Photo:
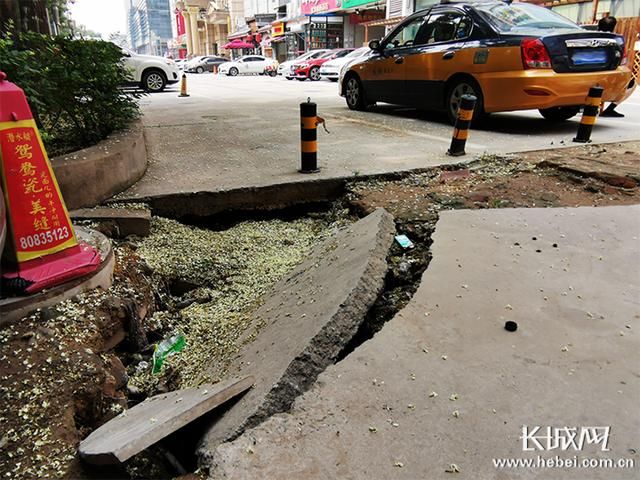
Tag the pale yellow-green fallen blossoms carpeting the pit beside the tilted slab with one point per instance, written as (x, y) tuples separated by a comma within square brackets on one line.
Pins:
[(235, 268)]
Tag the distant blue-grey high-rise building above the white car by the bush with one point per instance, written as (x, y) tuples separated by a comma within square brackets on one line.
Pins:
[(149, 26)]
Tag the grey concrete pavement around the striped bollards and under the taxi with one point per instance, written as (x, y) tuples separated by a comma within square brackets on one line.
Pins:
[(243, 132)]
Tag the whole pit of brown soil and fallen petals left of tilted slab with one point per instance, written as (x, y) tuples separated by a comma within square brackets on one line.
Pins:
[(66, 370)]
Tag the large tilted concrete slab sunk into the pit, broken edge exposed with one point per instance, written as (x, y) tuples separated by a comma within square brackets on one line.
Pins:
[(306, 322)]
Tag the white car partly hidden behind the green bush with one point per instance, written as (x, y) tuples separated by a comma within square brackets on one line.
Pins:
[(150, 73)]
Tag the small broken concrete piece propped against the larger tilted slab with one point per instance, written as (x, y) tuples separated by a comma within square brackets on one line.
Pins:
[(152, 420)]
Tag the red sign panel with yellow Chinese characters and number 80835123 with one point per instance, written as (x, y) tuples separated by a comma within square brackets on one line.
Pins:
[(39, 222)]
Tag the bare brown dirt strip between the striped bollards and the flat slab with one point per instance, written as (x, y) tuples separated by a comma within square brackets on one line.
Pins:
[(533, 179)]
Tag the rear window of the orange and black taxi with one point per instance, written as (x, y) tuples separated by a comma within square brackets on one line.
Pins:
[(517, 17)]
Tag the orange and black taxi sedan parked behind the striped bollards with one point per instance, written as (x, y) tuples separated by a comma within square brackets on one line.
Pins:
[(510, 56)]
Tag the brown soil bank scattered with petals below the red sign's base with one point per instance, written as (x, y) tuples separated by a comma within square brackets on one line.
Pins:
[(61, 376)]
